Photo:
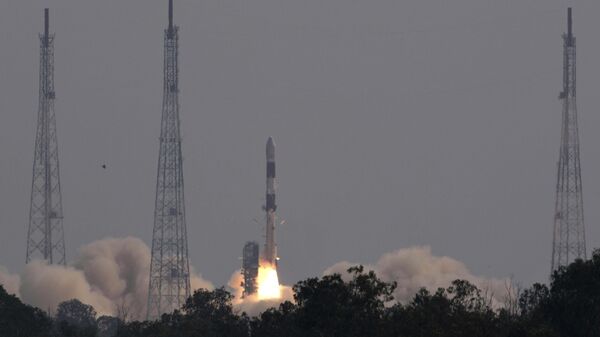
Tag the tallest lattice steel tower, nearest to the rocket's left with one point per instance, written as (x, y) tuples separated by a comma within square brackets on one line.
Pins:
[(169, 267)]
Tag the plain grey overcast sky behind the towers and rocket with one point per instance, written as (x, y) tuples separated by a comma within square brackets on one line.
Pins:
[(397, 123)]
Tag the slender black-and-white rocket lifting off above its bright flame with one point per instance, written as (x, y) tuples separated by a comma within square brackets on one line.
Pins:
[(270, 253)]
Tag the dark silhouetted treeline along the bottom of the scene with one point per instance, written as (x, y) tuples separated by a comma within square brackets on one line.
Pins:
[(360, 307)]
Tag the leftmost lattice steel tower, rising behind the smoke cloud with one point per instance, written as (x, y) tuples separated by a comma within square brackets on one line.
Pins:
[(45, 236)]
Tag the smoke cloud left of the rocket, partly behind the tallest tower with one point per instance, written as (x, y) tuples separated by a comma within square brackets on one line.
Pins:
[(109, 274)]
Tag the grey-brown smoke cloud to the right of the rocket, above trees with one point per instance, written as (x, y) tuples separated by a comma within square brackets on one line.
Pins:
[(416, 267)]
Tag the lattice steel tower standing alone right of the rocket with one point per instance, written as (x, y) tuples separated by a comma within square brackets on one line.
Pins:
[(569, 231)]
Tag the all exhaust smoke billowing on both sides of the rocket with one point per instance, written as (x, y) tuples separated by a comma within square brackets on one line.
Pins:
[(112, 276)]
